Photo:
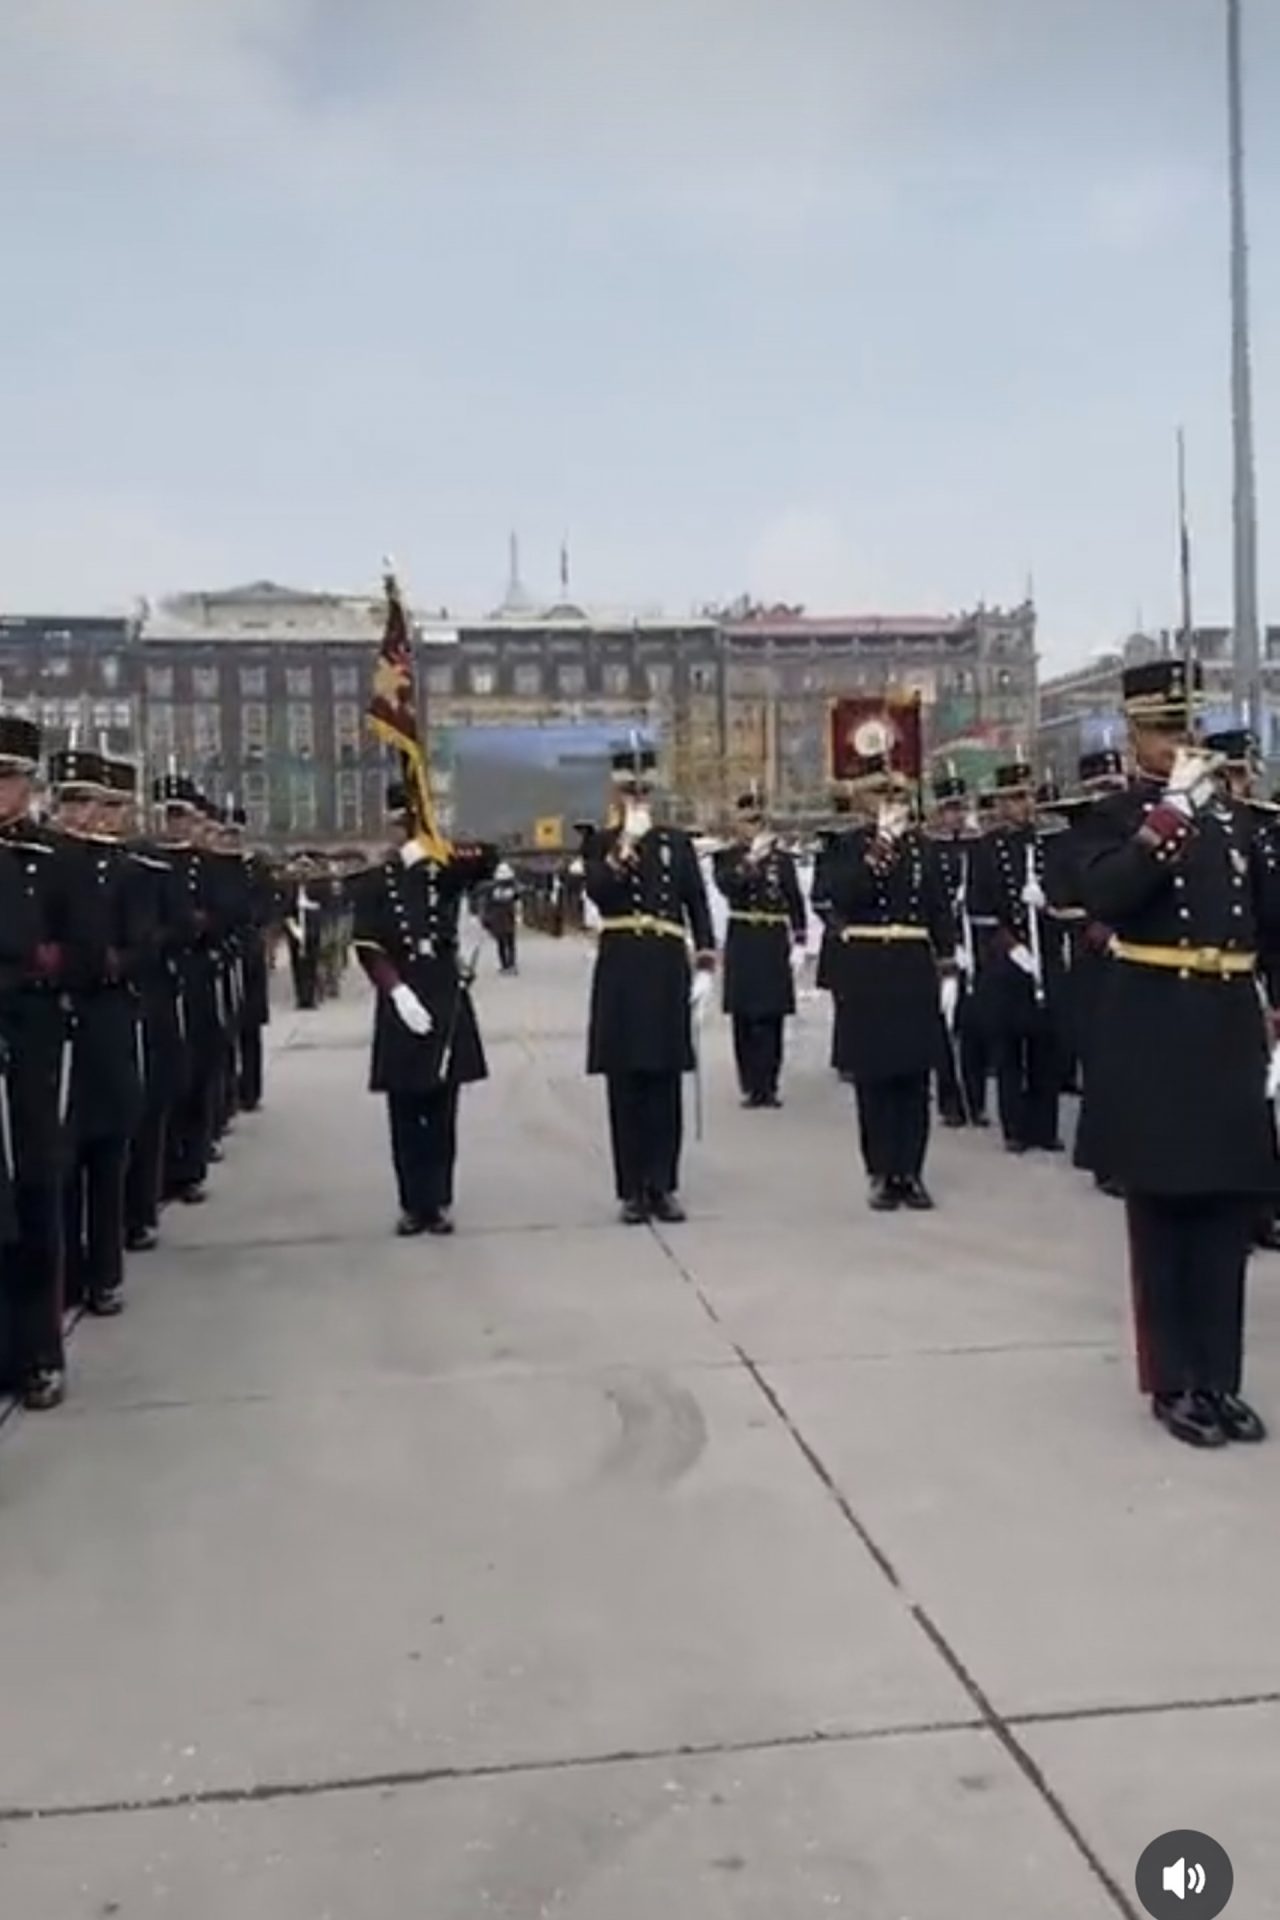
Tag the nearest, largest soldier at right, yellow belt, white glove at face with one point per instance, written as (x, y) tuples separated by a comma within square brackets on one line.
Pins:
[(1177, 1082)]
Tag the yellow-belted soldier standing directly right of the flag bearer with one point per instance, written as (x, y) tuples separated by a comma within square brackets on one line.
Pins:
[(650, 894)]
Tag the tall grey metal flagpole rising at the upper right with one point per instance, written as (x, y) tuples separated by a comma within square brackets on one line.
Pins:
[(1246, 654)]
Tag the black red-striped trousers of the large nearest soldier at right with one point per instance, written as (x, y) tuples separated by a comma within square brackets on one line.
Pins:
[(1189, 1278)]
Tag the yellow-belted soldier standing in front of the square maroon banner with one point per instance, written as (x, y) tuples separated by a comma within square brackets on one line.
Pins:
[(895, 924)]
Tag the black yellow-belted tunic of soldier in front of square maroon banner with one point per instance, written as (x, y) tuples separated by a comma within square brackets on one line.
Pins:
[(888, 990)]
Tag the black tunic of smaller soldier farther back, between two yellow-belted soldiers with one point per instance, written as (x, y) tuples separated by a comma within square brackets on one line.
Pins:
[(767, 917)]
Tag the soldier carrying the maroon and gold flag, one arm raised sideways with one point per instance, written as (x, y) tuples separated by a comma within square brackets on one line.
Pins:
[(427, 1042)]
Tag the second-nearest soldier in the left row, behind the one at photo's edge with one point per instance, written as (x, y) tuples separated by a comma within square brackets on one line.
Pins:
[(107, 1074)]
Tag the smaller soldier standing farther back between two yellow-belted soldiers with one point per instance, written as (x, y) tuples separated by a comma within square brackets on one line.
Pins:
[(765, 942)]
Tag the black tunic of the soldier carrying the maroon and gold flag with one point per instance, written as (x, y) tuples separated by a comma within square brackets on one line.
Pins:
[(408, 934)]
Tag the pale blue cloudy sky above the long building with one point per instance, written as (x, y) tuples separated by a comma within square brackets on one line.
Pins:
[(882, 306)]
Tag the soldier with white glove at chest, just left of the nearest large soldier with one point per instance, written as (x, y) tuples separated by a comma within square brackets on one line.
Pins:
[(1018, 1003)]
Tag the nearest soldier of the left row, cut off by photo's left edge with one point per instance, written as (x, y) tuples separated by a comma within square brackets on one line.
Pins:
[(37, 948)]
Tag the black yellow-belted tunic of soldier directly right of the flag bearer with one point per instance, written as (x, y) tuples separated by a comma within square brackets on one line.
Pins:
[(640, 992)]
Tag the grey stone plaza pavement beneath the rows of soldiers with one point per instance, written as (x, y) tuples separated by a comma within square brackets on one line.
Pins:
[(784, 1564)]
